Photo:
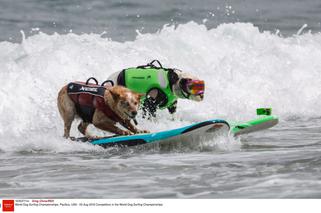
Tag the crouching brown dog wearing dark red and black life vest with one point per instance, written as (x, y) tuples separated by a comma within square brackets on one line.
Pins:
[(101, 106)]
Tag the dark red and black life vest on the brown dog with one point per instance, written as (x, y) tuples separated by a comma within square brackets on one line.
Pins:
[(88, 98)]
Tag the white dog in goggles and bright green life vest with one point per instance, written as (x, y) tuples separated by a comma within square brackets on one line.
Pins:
[(161, 86)]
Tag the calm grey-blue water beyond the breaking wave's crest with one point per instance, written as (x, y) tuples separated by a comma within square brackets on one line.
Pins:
[(120, 19)]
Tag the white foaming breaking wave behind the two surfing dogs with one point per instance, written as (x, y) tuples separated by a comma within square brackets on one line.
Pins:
[(243, 69)]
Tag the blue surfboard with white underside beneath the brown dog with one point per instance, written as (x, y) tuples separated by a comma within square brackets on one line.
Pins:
[(196, 131)]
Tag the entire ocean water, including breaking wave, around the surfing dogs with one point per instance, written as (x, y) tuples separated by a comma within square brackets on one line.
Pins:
[(251, 54)]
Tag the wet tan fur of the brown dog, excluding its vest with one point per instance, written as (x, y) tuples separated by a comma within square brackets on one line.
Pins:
[(121, 101)]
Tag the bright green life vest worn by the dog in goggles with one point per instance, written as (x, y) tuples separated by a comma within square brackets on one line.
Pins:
[(142, 80)]
